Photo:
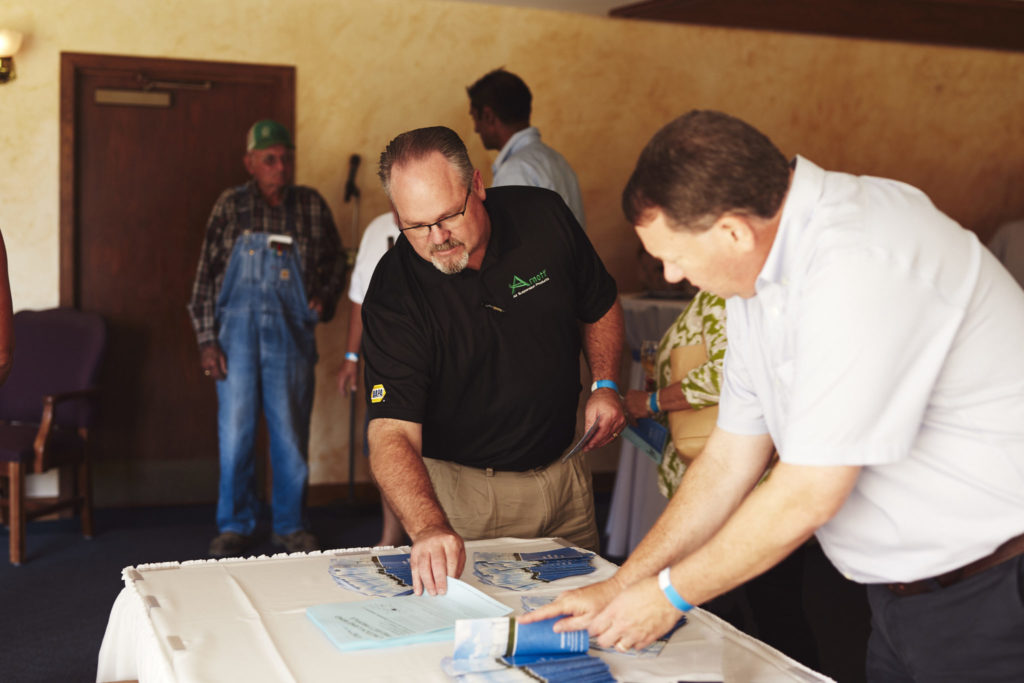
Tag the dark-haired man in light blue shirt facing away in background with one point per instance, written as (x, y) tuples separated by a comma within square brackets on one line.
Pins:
[(500, 105)]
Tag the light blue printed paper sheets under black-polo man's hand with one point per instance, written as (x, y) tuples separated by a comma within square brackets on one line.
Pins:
[(403, 620)]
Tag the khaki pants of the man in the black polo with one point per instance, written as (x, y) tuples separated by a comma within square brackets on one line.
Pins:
[(556, 501)]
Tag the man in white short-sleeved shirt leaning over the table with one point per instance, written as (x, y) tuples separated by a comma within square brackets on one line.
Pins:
[(877, 345)]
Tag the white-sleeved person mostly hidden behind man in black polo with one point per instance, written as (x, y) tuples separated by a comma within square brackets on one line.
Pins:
[(380, 236)]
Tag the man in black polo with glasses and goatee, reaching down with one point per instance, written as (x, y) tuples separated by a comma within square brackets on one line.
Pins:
[(473, 329)]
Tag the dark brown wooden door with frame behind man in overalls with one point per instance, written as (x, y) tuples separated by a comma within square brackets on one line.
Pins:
[(147, 147)]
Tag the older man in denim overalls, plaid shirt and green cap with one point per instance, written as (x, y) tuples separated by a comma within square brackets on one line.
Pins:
[(272, 268)]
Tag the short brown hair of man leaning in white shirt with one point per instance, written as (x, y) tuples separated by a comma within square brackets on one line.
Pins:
[(703, 165)]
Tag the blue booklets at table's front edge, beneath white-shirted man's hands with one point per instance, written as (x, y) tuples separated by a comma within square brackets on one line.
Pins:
[(493, 651)]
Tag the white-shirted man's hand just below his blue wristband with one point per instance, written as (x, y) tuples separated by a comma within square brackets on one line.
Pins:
[(637, 618)]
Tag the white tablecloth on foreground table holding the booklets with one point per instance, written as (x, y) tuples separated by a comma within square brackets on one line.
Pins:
[(245, 621)]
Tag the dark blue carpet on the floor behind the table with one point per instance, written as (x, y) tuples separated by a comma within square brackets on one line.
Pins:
[(55, 608)]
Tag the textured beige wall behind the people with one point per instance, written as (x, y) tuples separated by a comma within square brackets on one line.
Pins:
[(948, 120)]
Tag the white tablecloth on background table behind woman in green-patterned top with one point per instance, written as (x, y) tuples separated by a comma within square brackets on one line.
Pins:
[(636, 502)]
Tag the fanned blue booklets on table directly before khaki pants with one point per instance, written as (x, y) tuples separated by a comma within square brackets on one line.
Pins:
[(522, 572)]
